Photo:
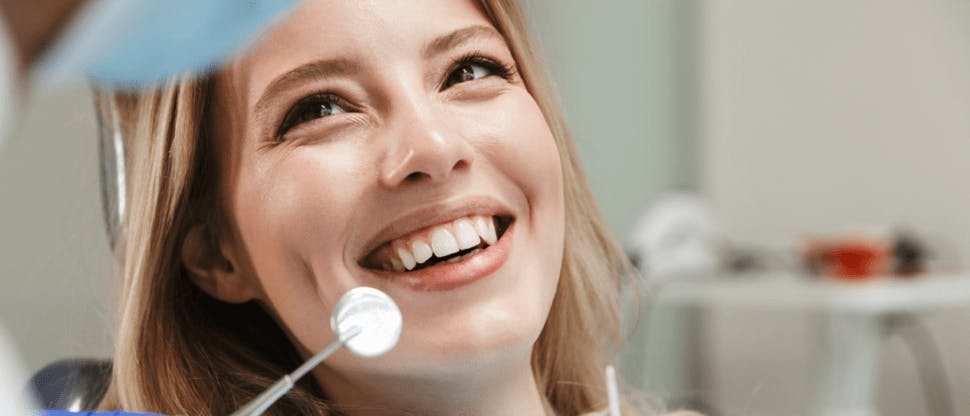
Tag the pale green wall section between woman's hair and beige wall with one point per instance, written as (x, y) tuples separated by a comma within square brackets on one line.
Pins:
[(624, 78)]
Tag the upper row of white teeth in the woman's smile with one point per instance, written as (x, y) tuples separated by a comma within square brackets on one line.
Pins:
[(445, 240)]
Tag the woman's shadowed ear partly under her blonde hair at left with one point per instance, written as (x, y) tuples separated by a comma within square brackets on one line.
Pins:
[(210, 265)]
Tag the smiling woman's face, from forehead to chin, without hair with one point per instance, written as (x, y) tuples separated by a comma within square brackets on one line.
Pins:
[(392, 144)]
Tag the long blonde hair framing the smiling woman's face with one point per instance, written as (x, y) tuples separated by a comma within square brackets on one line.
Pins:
[(179, 351)]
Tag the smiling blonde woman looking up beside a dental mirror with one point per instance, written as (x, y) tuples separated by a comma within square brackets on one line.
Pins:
[(364, 144)]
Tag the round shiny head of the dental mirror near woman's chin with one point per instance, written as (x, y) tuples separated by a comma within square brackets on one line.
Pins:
[(375, 315)]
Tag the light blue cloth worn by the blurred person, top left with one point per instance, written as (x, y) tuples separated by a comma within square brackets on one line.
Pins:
[(134, 43)]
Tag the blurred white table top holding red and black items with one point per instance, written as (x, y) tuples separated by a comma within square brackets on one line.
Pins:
[(873, 296)]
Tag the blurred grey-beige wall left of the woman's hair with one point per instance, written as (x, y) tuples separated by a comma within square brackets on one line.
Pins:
[(54, 262)]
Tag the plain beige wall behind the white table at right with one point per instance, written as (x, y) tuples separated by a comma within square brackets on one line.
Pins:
[(832, 115)]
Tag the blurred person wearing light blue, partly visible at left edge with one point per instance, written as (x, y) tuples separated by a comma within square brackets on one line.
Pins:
[(112, 42)]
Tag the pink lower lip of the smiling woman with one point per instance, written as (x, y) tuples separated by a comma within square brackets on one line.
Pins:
[(448, 276)]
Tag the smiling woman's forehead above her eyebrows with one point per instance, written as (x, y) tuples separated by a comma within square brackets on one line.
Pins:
[(367, 32)]
